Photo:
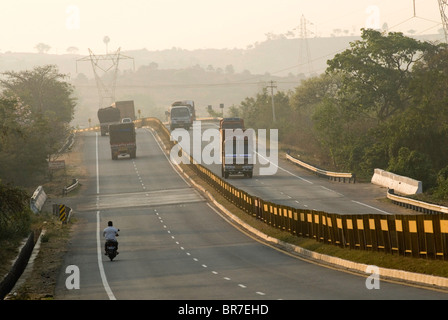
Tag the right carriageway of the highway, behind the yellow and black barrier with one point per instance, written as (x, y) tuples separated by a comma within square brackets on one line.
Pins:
[(299, 188)]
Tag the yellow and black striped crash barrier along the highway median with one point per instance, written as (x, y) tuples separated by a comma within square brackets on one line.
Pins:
[(424, 235)]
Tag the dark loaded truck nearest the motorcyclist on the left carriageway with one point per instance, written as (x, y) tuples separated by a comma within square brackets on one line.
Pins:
[(122, 140)]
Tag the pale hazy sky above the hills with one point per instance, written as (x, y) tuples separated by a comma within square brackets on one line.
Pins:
[(195, 24)]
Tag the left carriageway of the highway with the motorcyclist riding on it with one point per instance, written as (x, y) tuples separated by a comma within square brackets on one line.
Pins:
[(174, 245)]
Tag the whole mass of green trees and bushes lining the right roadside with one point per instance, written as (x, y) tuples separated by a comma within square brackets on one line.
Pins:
[(382, 103)]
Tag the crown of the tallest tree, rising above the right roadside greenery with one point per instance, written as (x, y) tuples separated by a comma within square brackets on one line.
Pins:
[(376, 72)]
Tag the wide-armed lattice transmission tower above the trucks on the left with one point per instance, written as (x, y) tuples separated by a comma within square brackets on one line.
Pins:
[(105, 68)]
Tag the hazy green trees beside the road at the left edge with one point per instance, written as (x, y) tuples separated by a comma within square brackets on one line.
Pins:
[(35, 110)]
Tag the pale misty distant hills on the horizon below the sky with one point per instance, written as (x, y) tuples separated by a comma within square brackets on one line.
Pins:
[(208, 76)]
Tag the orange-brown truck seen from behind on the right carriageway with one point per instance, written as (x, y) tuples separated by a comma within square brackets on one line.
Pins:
[(236, 156)]
